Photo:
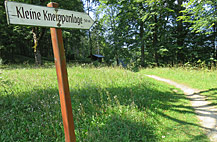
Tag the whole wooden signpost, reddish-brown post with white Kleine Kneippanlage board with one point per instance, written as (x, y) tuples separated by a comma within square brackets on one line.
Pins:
[(51, 16)]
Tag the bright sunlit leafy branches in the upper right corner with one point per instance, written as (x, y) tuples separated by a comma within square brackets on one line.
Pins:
[(200, 14)]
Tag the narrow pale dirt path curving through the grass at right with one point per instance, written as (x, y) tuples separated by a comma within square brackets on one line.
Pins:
[(207, 114)]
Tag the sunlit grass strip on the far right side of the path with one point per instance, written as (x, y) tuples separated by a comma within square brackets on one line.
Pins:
[(203, 80)]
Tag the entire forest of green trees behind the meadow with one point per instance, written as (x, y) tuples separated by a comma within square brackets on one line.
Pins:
[(139, 33)]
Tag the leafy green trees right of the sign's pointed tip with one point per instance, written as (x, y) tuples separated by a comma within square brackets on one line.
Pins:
[(167, 41)]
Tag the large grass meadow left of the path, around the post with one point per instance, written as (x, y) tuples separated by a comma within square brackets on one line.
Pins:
[(109, 105)]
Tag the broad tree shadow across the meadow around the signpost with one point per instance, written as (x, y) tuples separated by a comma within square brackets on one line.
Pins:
[(35, 115)]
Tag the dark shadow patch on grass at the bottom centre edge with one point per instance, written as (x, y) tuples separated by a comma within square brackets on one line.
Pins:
[(118, 128)]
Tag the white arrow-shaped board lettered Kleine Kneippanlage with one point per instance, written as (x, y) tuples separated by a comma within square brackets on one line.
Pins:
[(26, 14)]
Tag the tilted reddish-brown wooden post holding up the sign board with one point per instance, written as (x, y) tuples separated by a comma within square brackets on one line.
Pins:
[(65, 100)]
